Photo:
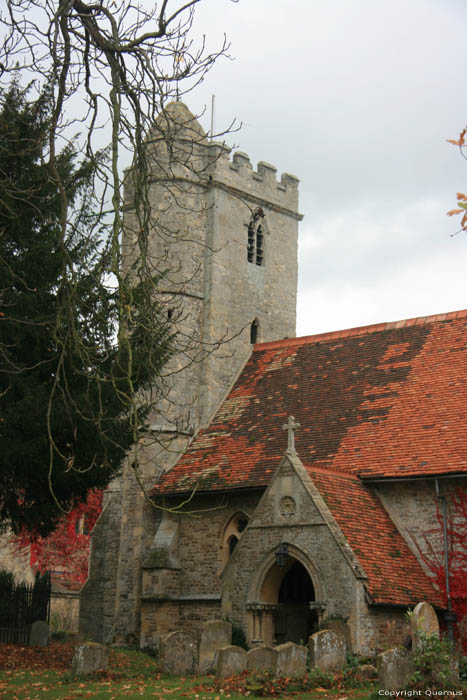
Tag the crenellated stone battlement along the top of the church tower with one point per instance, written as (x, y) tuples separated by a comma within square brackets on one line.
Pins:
[(236, 171)]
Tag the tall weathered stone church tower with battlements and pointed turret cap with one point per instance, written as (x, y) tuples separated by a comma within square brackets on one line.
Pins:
[(223, 239)]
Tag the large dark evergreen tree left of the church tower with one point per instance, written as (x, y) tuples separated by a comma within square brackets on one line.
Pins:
[(65, 418)]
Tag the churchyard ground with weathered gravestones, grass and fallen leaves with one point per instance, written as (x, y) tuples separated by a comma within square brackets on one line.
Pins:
[(207, 665)]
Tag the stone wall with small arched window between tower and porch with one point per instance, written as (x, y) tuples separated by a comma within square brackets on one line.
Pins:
[(182, 569)]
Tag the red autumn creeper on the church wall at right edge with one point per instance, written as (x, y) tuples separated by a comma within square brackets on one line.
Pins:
[(433, 557)]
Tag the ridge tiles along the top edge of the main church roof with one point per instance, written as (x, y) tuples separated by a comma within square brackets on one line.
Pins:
[(361, 330)]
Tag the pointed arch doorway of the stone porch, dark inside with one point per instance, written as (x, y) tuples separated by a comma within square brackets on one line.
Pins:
[(280, 608)]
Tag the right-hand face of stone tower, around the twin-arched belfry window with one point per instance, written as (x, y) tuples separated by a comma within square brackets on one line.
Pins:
[(238, 291)]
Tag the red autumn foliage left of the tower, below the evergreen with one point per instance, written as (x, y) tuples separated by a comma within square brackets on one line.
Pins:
[(65, 552)]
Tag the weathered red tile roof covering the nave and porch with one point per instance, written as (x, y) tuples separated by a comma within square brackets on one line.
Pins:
[(383, 401)]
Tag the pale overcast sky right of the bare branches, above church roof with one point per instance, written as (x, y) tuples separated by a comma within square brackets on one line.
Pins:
[(356, 98)]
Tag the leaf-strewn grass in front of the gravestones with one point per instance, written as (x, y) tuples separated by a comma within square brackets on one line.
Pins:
[(131, 674)]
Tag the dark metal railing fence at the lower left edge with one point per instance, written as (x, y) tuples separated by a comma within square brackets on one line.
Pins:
[(21, 605)]
